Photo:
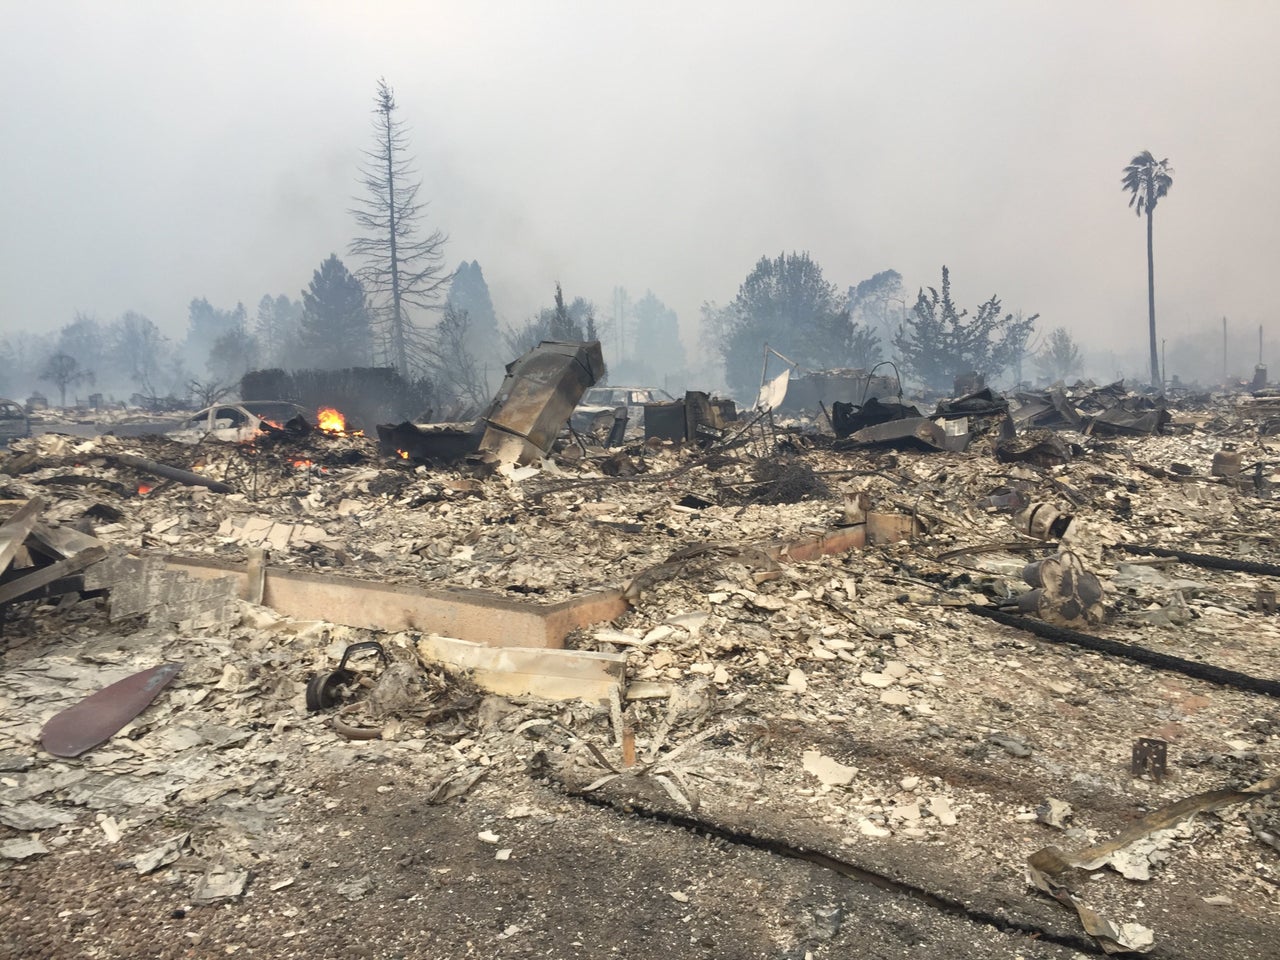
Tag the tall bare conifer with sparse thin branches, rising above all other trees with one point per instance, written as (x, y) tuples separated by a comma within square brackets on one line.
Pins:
[(403, 264)]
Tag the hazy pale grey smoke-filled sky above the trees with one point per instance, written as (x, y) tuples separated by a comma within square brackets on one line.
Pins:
[(154, 153)]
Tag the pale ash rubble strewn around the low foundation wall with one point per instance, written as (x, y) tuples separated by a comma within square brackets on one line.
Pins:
[(851, 701)]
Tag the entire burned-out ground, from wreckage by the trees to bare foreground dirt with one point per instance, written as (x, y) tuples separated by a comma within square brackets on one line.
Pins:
[(842, 673)]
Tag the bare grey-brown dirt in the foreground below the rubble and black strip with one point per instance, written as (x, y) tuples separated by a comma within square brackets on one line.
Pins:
[(582, 881)]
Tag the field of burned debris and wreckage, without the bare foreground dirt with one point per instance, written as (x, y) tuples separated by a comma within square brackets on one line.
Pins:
[(932, 625)]
